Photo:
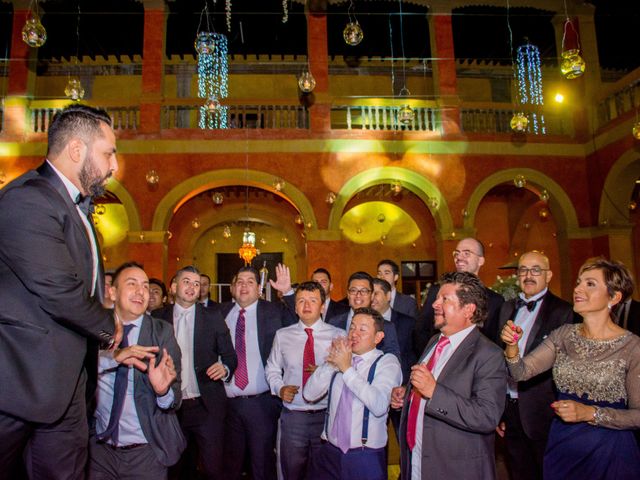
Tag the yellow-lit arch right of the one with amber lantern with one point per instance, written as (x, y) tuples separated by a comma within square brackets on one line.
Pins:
[(412, 181)]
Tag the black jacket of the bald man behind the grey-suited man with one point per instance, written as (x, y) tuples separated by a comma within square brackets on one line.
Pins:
[(424, 323)]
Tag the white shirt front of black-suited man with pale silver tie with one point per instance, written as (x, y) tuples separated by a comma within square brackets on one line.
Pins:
[(184, 320)]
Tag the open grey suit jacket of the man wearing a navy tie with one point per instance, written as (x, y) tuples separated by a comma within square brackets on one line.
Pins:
[(160, 427)]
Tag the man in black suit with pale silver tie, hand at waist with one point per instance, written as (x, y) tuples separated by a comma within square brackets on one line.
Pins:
[(203, 338)]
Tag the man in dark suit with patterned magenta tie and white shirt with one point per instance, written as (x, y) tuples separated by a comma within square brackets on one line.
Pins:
[(252, 422)]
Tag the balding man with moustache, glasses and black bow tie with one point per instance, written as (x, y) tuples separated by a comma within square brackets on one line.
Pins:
[(527, 417)]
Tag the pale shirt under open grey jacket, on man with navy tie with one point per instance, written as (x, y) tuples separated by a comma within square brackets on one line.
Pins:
[(129, 429)]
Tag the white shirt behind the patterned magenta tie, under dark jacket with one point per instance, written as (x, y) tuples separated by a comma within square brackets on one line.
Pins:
[(255, 369)]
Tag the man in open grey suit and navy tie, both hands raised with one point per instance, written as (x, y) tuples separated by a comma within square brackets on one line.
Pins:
[(137, 432)]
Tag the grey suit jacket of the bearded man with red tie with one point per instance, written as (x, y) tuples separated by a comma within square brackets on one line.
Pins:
[(461, 417)]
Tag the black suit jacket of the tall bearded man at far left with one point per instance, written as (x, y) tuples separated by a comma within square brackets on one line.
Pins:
[(47, 313)]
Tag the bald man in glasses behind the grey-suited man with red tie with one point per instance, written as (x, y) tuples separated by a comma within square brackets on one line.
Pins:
[(468, 257)]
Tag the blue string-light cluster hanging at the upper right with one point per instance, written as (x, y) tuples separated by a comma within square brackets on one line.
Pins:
[(529, 84)]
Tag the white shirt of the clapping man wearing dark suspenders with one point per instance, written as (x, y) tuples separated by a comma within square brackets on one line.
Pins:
[(376, 396)]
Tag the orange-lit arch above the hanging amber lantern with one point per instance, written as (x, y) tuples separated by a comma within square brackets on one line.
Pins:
[(191, 187)]
